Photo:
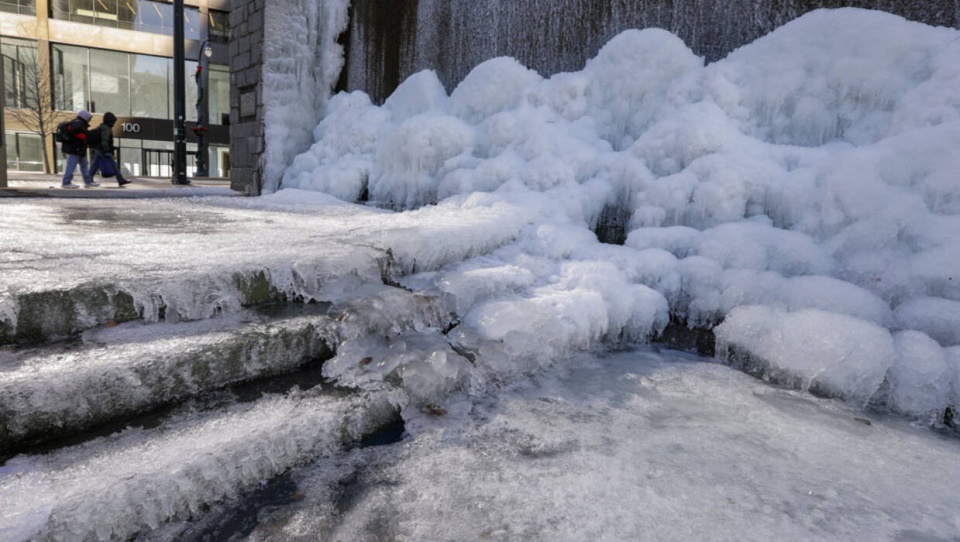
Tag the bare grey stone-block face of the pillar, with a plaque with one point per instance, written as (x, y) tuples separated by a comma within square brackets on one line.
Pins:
[(246, 95)]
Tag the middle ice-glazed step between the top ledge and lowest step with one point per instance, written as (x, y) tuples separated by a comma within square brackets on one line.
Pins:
[(114, 373)]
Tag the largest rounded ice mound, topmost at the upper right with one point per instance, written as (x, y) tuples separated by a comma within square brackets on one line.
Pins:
[(830, 75)]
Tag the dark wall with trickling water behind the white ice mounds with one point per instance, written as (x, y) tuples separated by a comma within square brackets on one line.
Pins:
[(389, 41)]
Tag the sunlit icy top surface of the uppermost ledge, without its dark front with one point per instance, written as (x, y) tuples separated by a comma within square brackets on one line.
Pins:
[(62, 243)]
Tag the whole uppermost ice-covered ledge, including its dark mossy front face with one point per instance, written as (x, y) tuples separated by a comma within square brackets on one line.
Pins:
[(68, 265)]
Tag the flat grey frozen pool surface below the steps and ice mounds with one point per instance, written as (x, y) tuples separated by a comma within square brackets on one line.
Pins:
[(632, 446)]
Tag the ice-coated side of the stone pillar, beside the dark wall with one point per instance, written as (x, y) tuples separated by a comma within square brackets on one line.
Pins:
[(301, 63)]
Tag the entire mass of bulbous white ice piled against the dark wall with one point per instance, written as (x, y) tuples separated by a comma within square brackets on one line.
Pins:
[(809, 179)]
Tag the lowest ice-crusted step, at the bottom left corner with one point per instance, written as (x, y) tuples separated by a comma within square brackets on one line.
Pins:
[(113, 488)]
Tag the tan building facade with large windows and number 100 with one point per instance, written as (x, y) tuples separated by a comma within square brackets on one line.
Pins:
[(61, 56)]
